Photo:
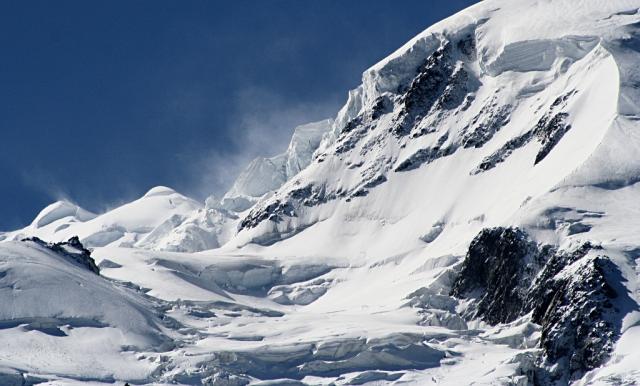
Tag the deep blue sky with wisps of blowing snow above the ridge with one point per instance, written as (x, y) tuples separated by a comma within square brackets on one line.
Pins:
[(101, 100)]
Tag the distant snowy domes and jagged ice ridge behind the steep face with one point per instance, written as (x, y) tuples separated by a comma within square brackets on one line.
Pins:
[(166, 220)]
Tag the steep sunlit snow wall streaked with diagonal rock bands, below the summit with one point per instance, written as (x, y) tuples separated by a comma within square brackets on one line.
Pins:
[(480, 150)]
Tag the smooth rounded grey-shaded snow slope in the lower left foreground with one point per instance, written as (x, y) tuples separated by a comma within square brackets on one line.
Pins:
[(59, 319)]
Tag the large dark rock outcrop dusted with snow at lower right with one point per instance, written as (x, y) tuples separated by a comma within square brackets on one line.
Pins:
[(569, 294)]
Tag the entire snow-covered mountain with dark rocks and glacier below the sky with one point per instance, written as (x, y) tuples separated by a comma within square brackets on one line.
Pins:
[(469, 216)]
